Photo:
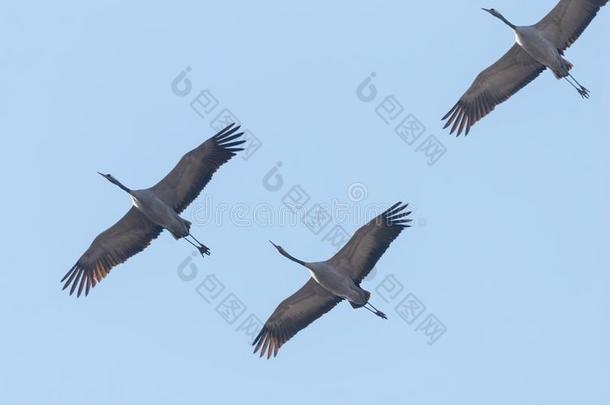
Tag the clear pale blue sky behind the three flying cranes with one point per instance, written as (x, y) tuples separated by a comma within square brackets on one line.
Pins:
[(510, 244)]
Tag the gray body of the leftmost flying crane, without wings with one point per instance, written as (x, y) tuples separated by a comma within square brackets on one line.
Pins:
[(157, 211)]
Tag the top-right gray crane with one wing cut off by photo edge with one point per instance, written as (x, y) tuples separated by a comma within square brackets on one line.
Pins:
[(537, 47)]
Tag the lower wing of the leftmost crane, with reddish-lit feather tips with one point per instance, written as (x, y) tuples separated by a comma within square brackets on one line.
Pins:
[(129, 236)]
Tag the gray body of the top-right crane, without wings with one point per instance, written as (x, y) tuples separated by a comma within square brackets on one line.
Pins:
[(542, 50)]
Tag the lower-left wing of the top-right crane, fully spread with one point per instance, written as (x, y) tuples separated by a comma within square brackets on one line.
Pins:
[(494, 85)]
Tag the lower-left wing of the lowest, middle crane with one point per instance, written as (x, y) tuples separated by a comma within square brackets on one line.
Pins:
[(293, 314)]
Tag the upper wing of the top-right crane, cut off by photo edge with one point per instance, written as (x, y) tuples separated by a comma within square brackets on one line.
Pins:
[(564, 24)]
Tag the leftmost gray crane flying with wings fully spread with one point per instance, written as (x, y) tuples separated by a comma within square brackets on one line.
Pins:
[(154, 209)]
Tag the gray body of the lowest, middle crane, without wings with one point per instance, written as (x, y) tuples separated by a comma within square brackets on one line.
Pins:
[(338, 282)]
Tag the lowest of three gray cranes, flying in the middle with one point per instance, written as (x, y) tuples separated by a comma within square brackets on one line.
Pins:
[(333, 280)]
